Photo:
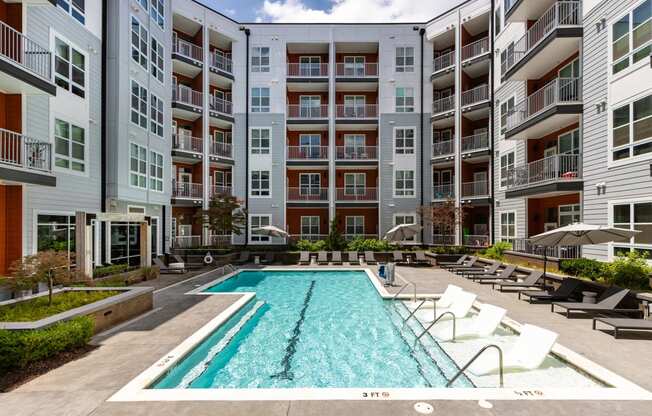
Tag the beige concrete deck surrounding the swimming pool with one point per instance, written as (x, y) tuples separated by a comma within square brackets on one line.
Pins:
[(82, 387)]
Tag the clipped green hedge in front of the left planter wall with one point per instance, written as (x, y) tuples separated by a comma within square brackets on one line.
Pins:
[(20, 348)]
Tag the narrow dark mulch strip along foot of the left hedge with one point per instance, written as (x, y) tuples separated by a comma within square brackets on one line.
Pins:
[(17, 377)]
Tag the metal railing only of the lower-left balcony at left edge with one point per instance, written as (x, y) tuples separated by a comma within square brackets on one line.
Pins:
[(24, 152)]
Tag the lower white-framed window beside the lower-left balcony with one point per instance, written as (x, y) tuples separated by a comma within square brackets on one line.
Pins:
[(69, 146)]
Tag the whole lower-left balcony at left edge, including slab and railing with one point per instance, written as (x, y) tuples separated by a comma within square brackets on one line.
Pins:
[(25, 160)]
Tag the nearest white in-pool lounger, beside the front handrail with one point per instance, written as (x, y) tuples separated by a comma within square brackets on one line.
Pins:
[(528, 353)]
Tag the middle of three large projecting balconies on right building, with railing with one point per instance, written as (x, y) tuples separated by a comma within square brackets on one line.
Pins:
[(557, 104)]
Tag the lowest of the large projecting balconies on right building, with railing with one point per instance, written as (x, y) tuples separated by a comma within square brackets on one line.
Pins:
[(553, 175)]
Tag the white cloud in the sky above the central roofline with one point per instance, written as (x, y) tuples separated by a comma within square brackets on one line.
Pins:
[(291, 11)]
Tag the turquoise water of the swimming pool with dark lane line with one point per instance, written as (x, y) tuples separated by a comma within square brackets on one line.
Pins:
[(312, 329)]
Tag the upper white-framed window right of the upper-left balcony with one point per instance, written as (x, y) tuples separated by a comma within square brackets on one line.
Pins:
[(69, 68)]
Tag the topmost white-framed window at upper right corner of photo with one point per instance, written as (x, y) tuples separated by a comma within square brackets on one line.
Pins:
[(631, 37)]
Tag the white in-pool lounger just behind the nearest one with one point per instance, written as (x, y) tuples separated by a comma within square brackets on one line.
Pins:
[(482, 325)]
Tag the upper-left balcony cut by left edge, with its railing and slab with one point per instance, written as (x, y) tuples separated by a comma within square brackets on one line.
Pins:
[(25, 65)]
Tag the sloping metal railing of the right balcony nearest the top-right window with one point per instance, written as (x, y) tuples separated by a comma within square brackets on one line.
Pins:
[(561, 13)]
